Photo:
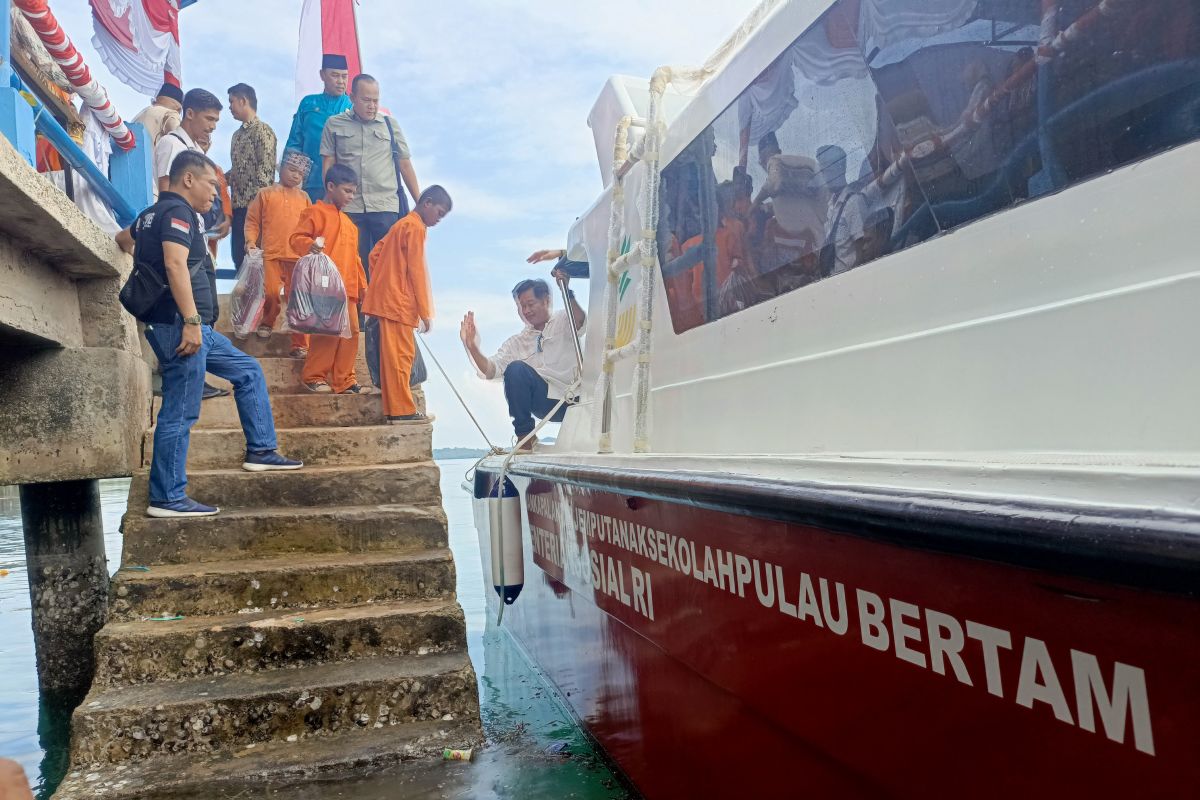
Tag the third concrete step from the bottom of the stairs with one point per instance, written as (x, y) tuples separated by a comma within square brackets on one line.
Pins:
[(140, 653)]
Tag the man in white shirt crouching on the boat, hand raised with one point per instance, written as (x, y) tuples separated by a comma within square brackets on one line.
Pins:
[(539, 364)]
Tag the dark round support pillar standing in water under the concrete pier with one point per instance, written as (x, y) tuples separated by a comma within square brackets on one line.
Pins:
[(68, 579)]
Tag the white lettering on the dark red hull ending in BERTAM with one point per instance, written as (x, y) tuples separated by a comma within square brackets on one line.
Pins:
[(968, 651)]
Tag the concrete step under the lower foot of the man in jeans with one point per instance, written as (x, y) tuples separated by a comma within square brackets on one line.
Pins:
[(262, 533)]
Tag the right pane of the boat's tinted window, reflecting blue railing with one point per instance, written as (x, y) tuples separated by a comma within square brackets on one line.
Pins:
[(1023, 98)]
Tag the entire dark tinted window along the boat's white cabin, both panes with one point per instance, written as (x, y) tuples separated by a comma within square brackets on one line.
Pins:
[(890, 122)]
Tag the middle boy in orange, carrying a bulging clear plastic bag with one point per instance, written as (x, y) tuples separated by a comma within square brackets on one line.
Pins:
[(323, 227)]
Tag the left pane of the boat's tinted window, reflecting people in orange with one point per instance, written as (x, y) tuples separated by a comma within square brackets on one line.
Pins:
[(797, 181)]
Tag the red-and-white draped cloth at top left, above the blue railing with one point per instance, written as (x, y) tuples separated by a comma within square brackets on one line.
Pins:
[(139, 41)]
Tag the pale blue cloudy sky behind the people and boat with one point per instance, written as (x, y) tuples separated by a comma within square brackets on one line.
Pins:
[(494, 99)]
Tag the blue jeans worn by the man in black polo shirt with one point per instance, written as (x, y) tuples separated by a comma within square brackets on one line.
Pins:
[(183, 384)]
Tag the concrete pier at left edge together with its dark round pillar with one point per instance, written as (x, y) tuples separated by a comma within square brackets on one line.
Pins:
[(75, 404)]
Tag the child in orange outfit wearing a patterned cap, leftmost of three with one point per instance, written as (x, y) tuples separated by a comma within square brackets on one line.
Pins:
[(271, 221)]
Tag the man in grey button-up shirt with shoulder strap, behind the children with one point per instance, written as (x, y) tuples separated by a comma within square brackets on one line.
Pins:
[(375, 148)]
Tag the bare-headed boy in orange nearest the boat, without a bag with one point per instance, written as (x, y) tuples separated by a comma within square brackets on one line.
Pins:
[(401, 300)]
